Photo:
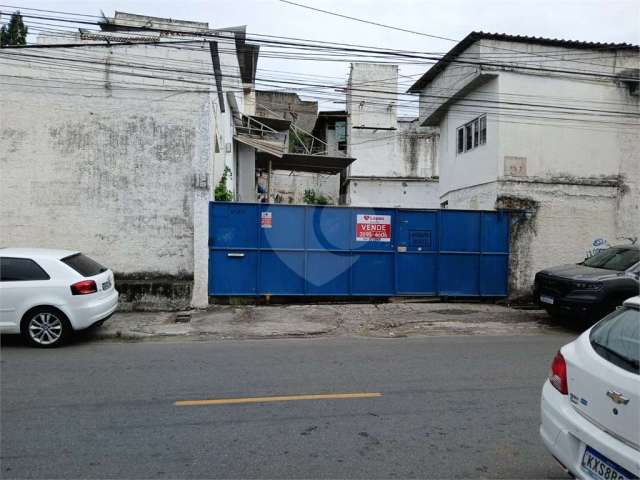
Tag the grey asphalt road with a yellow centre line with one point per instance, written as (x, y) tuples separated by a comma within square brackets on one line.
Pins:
[(449, 407)]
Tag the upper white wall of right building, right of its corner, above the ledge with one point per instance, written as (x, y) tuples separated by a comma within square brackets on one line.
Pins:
[(578, 145)]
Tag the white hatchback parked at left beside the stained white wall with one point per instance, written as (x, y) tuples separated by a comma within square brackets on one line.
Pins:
[(46, 295)]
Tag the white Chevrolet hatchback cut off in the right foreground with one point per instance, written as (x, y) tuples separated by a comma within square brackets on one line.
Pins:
[(590, 405)]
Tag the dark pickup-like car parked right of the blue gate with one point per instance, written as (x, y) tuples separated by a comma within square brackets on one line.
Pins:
[(592, 288)]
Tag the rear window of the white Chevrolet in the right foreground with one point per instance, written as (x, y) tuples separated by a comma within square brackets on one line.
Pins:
[(617, 338)]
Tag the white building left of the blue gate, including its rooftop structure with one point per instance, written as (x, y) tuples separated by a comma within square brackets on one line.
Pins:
[(115, 149)]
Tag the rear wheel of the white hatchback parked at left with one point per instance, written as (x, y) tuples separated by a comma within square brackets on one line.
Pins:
[(45, 327)]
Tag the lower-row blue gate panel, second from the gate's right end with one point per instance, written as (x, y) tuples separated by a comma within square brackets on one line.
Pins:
[(458, 275)]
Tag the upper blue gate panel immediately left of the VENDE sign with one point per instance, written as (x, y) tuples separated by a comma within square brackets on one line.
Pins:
[(328, 228)]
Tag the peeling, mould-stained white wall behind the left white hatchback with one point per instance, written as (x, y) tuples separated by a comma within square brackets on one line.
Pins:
[(122, 174)]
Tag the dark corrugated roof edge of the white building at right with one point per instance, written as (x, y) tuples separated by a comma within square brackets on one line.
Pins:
[(473, 37)]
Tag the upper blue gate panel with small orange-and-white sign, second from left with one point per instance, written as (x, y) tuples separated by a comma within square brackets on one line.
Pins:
[(287, 227)]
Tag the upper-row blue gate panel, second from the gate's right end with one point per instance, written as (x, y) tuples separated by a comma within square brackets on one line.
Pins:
[(459, 231)]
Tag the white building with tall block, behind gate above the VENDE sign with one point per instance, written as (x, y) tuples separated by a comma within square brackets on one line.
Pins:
[(395, 162)]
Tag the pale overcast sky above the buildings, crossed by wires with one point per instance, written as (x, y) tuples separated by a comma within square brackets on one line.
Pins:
[(586, 20)]
